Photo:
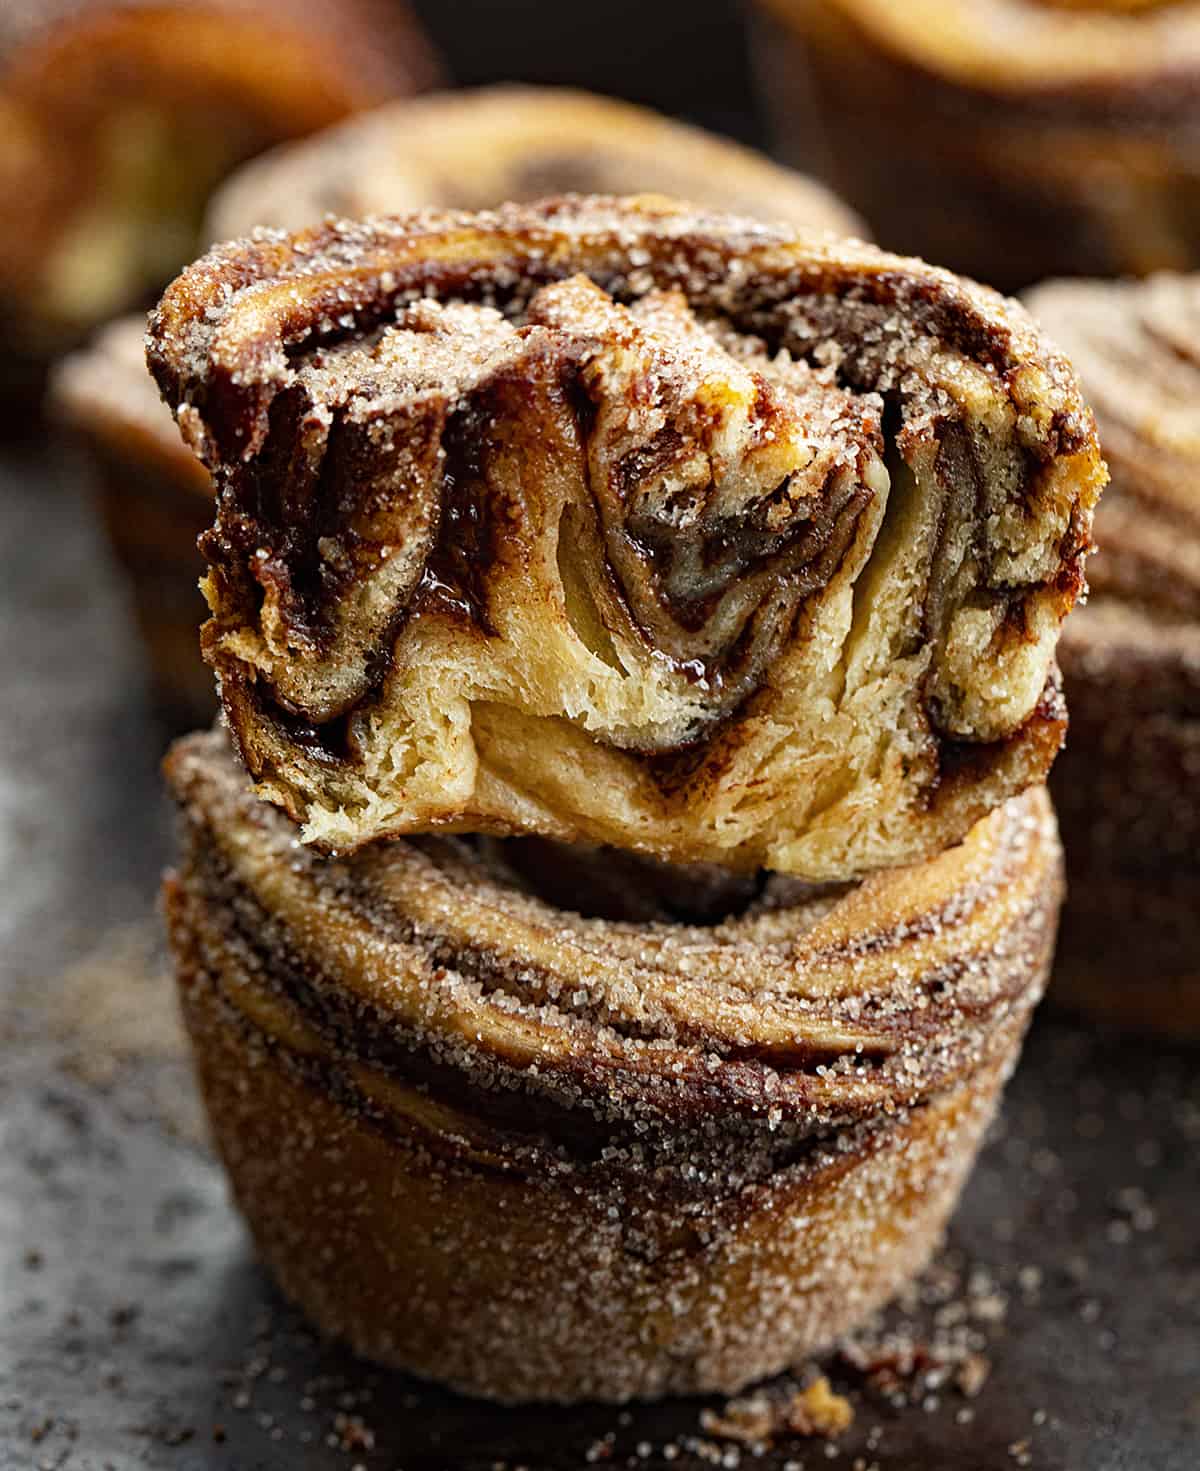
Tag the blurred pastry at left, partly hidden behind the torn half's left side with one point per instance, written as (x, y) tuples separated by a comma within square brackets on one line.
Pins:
[(155, 498)]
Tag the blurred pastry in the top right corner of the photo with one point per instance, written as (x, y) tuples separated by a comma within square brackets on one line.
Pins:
[(1012, 140)]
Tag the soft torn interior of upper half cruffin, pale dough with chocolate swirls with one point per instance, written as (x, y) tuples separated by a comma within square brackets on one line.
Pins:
[(577, 654)]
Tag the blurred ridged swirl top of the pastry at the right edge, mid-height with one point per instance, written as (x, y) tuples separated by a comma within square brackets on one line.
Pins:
[(1136, 349)]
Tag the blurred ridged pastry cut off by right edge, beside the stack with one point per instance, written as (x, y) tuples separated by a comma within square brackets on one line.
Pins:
[(1129, 785)]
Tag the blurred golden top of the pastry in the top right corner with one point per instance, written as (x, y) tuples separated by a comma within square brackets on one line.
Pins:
[(1037, 46)]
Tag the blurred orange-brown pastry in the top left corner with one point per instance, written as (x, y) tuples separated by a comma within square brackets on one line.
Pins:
[(118, 120)]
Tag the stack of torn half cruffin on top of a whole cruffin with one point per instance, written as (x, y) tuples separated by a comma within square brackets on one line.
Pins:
[(639, 627)]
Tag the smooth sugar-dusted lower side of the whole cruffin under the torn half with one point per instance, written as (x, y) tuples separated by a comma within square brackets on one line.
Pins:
[(558, 1285)]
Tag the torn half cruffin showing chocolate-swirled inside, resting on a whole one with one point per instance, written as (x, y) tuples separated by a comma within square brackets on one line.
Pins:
[(618, 523)]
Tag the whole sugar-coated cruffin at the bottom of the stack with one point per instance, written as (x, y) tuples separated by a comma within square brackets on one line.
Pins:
[(624, 1158)]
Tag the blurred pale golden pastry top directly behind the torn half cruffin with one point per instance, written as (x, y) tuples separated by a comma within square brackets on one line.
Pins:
[(474, 149)]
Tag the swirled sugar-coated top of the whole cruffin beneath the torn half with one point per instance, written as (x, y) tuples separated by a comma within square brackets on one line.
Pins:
[(430, 963)]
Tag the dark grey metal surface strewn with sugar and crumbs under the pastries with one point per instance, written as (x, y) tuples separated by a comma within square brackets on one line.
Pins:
[(136, 1328)]
